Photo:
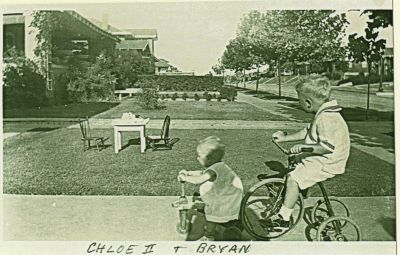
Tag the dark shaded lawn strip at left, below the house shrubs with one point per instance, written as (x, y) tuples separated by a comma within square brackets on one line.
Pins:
[(60, 111)]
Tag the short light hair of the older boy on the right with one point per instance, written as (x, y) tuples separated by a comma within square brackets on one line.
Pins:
[(315, 86)]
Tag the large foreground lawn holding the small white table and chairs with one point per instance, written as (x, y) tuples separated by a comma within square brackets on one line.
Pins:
[(53, 163)]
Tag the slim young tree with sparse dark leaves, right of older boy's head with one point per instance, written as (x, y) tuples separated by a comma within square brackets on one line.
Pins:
[(367, 48)]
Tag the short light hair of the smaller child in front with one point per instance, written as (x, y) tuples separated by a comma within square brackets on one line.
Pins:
[(213, 148)]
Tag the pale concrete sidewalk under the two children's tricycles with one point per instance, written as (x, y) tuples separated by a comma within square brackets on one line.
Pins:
[(75, 218)]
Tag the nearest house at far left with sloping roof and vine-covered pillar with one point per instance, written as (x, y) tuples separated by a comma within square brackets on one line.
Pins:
[(75, 36)]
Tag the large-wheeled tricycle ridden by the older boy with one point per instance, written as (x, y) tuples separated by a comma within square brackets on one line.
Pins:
[(266, 197)]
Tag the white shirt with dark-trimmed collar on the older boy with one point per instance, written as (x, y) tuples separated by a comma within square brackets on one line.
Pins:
[(330, 131)]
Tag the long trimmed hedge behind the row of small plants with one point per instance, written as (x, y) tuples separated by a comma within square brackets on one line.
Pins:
[(180, 83)]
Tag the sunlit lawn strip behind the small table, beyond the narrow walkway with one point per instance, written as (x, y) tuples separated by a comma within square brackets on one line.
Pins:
[(194, 110)]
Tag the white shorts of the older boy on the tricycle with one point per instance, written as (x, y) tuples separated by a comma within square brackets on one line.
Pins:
[(308, 172)]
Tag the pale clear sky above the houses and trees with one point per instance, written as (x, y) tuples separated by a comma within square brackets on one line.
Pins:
[(192, 35)]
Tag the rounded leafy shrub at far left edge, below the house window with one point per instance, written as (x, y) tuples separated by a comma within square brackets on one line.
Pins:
[(23, 85)]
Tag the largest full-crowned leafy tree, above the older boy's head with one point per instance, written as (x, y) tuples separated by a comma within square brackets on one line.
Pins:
[(299, 36)]
